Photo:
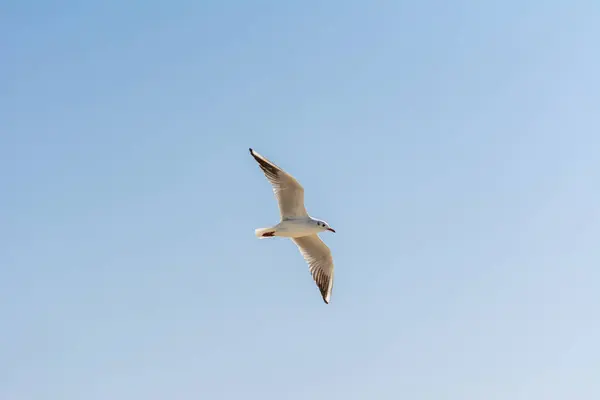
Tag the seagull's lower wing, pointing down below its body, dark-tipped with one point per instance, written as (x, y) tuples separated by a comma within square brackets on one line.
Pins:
[(320, 262)]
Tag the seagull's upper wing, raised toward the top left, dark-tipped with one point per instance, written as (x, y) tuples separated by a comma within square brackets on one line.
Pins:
[(288, 192)]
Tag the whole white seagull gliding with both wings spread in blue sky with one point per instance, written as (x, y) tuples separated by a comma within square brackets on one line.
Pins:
[(297, 225)]
